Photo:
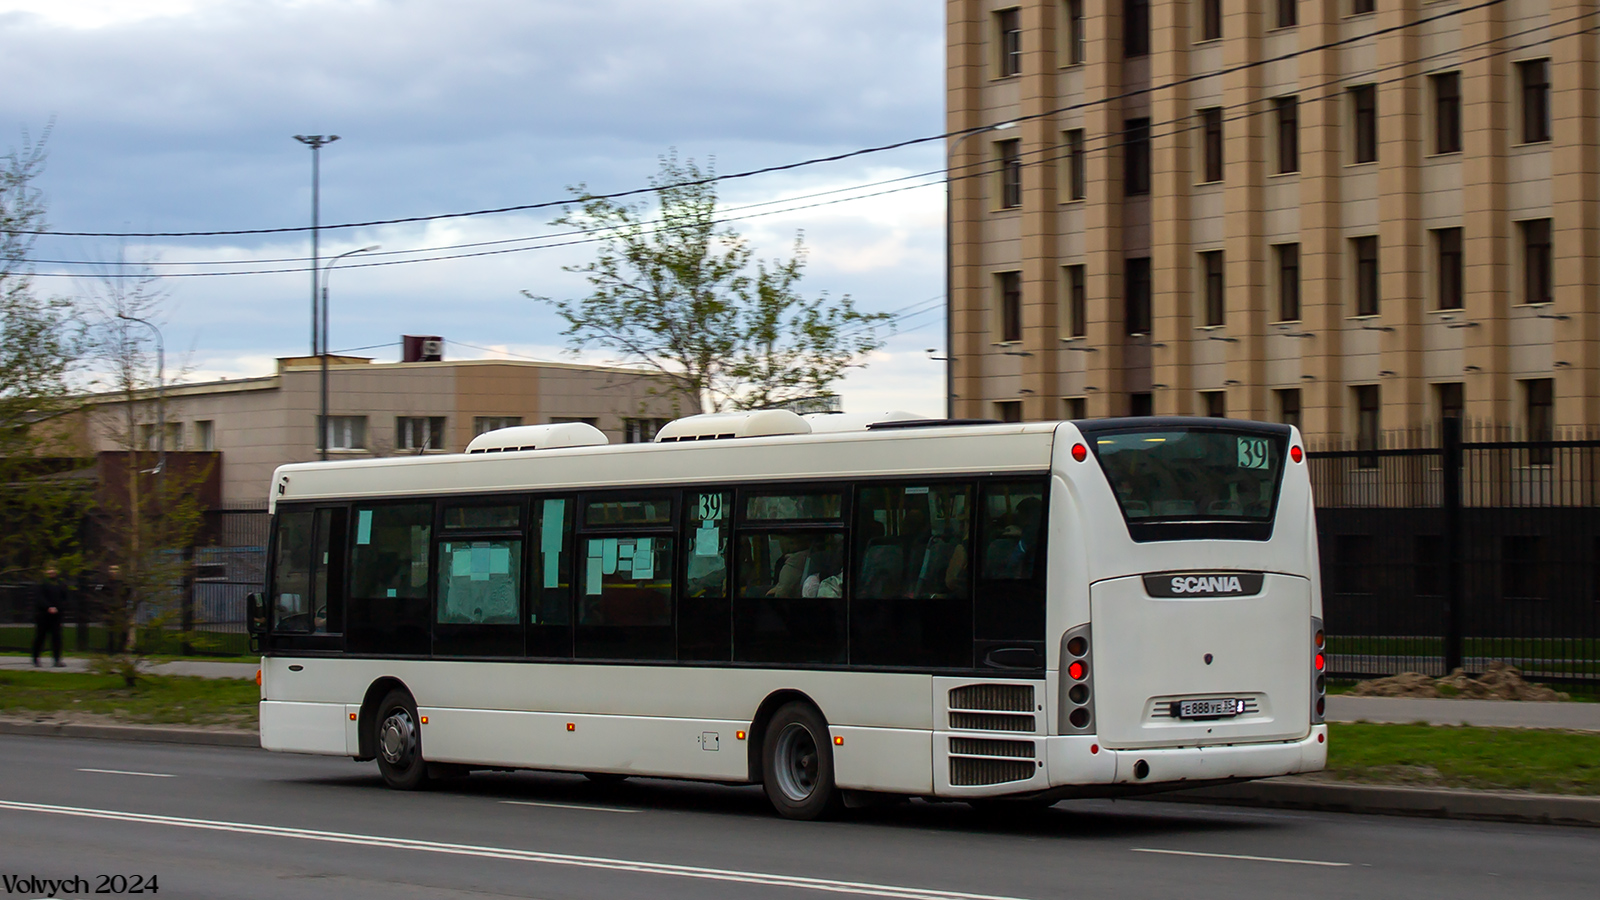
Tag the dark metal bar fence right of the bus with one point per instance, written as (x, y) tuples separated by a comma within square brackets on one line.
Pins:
[(1474, 548)]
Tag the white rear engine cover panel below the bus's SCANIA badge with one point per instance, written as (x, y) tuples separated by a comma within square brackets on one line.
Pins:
[(1170, 649)]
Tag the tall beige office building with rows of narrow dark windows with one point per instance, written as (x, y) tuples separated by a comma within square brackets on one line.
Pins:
[(1353, 215)]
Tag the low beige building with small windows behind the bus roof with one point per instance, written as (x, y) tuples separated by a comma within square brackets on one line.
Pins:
[(374, 411)]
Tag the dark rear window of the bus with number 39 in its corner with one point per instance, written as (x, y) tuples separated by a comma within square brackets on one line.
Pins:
[(1175, 475)]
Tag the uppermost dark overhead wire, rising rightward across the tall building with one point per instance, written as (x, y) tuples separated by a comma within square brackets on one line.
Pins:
[(799, 164)]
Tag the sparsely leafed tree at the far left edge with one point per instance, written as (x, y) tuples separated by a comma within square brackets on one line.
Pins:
[(42, 504)]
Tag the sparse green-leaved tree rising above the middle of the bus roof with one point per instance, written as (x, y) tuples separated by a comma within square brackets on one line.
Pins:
[(678, 292)]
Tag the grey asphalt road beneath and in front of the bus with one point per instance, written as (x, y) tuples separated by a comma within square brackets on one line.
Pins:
[(217, 822)]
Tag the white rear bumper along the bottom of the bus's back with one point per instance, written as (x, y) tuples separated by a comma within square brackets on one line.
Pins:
[(1073, 760)]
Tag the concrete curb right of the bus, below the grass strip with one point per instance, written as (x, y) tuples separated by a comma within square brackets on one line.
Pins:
[(1380, 800)]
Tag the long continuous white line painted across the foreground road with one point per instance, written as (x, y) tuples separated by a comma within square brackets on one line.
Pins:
[(825, 885)]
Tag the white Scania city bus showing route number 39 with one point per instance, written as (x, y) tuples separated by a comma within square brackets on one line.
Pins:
[(959, 611)]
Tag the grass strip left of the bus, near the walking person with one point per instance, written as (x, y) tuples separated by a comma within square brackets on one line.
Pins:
[(154, 701)]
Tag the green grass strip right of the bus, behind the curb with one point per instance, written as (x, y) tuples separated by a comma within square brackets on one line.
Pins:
[(1463, 757)]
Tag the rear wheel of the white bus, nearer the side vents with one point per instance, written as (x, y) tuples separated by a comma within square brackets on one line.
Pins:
[(798, 765)]
